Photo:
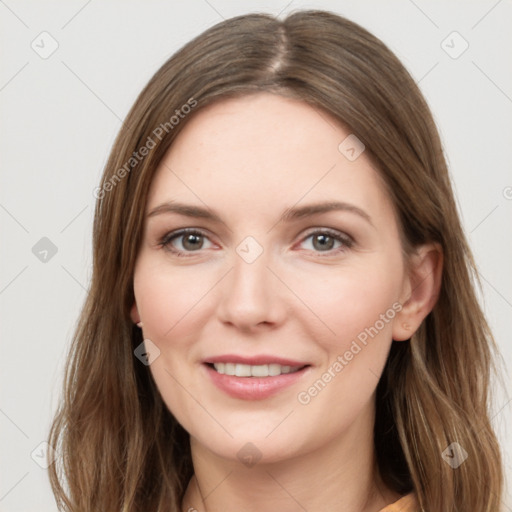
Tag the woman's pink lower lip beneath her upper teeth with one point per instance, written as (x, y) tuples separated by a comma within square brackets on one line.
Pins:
[(254, 388)]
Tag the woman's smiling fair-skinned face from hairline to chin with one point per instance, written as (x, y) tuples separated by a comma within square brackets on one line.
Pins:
[(290, 280)]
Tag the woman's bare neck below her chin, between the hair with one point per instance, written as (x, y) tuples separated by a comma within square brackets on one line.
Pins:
[(340, 475)]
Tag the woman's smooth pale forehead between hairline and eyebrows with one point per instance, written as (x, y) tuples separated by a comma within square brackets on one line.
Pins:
[(263, 151)]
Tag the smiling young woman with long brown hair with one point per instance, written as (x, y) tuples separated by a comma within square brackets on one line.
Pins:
[(281, 312)]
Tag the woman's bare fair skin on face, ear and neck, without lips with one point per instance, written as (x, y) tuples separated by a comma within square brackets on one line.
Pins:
[(248, 160)]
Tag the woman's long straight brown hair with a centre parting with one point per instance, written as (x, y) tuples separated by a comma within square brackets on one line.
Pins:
[(121, 449)]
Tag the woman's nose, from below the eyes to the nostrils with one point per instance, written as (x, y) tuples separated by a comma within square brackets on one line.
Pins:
[(251, 296)]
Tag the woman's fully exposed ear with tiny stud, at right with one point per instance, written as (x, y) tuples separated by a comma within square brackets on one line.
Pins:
[(421, 290)]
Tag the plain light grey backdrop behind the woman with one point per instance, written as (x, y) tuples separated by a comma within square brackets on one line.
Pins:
[(59, 119)]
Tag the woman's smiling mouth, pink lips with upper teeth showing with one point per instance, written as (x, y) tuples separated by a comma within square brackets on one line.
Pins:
[(254, 378)]
